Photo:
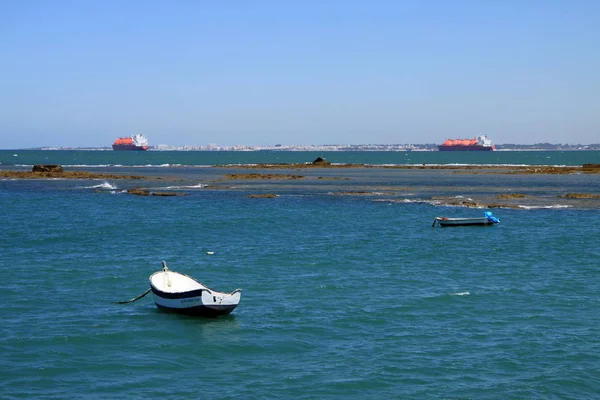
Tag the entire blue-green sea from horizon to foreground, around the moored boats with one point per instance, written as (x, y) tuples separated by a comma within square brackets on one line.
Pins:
[(348, 291)]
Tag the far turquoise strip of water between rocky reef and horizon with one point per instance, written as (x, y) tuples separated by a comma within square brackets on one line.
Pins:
[(158, 158)]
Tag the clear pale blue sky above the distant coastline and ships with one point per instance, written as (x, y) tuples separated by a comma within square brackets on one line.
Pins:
[(83, 72)]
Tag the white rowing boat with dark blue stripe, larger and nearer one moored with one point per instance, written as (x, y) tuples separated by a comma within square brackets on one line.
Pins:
[(177, 292)]
